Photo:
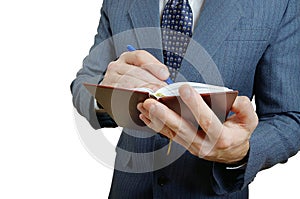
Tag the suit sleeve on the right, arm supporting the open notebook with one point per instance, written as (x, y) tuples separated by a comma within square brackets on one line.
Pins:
[(277, 96)]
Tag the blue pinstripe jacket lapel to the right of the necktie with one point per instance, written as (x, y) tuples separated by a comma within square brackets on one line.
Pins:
[(217, 19)]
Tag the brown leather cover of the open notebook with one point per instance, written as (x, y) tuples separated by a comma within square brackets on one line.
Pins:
[(121, 104)]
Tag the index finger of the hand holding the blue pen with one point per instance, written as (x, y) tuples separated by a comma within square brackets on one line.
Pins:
[(147, 62)]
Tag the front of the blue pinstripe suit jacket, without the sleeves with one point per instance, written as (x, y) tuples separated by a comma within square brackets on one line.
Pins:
[(232, 37)]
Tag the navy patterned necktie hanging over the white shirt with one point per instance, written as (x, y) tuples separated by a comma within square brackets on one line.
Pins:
[(176, 24)]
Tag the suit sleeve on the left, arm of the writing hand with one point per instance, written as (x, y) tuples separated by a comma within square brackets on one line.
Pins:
[(93, 70)]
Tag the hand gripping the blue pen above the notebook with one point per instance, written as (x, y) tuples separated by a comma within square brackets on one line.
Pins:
[(136, 69)]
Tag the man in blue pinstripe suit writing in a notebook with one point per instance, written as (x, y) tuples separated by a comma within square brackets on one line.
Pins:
[(255, 46)]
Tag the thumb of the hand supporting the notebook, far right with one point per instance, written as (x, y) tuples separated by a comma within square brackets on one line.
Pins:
[(245, 112)]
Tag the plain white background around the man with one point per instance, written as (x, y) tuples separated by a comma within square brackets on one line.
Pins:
[(42, 45)]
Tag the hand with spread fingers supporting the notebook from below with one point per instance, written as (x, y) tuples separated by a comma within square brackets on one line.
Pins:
[(225, 143)]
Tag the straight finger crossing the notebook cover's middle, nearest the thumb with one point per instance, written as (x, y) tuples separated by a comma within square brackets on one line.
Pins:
[(205, 117)]
